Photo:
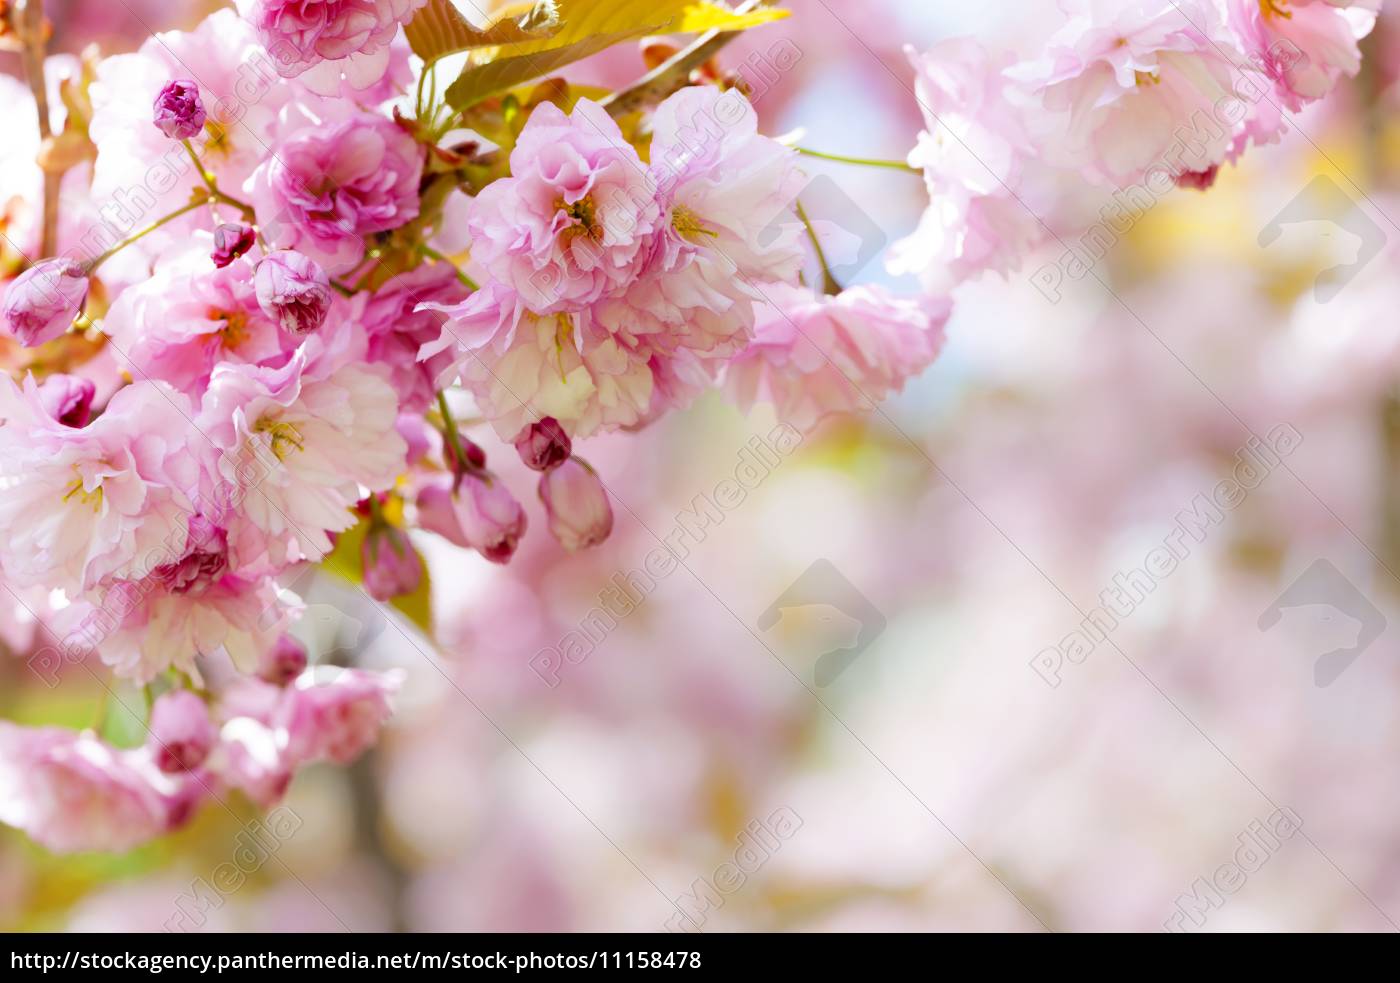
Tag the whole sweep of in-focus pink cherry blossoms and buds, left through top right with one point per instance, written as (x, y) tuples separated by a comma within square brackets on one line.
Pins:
[(264, 277)]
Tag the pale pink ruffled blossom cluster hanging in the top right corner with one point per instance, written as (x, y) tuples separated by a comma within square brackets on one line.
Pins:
[(1128, 95)]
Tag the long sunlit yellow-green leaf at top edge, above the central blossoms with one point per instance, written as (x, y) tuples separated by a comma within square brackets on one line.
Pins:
[(587, 27)]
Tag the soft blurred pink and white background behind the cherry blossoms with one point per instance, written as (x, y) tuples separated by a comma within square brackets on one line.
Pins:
[(975, 767)]
